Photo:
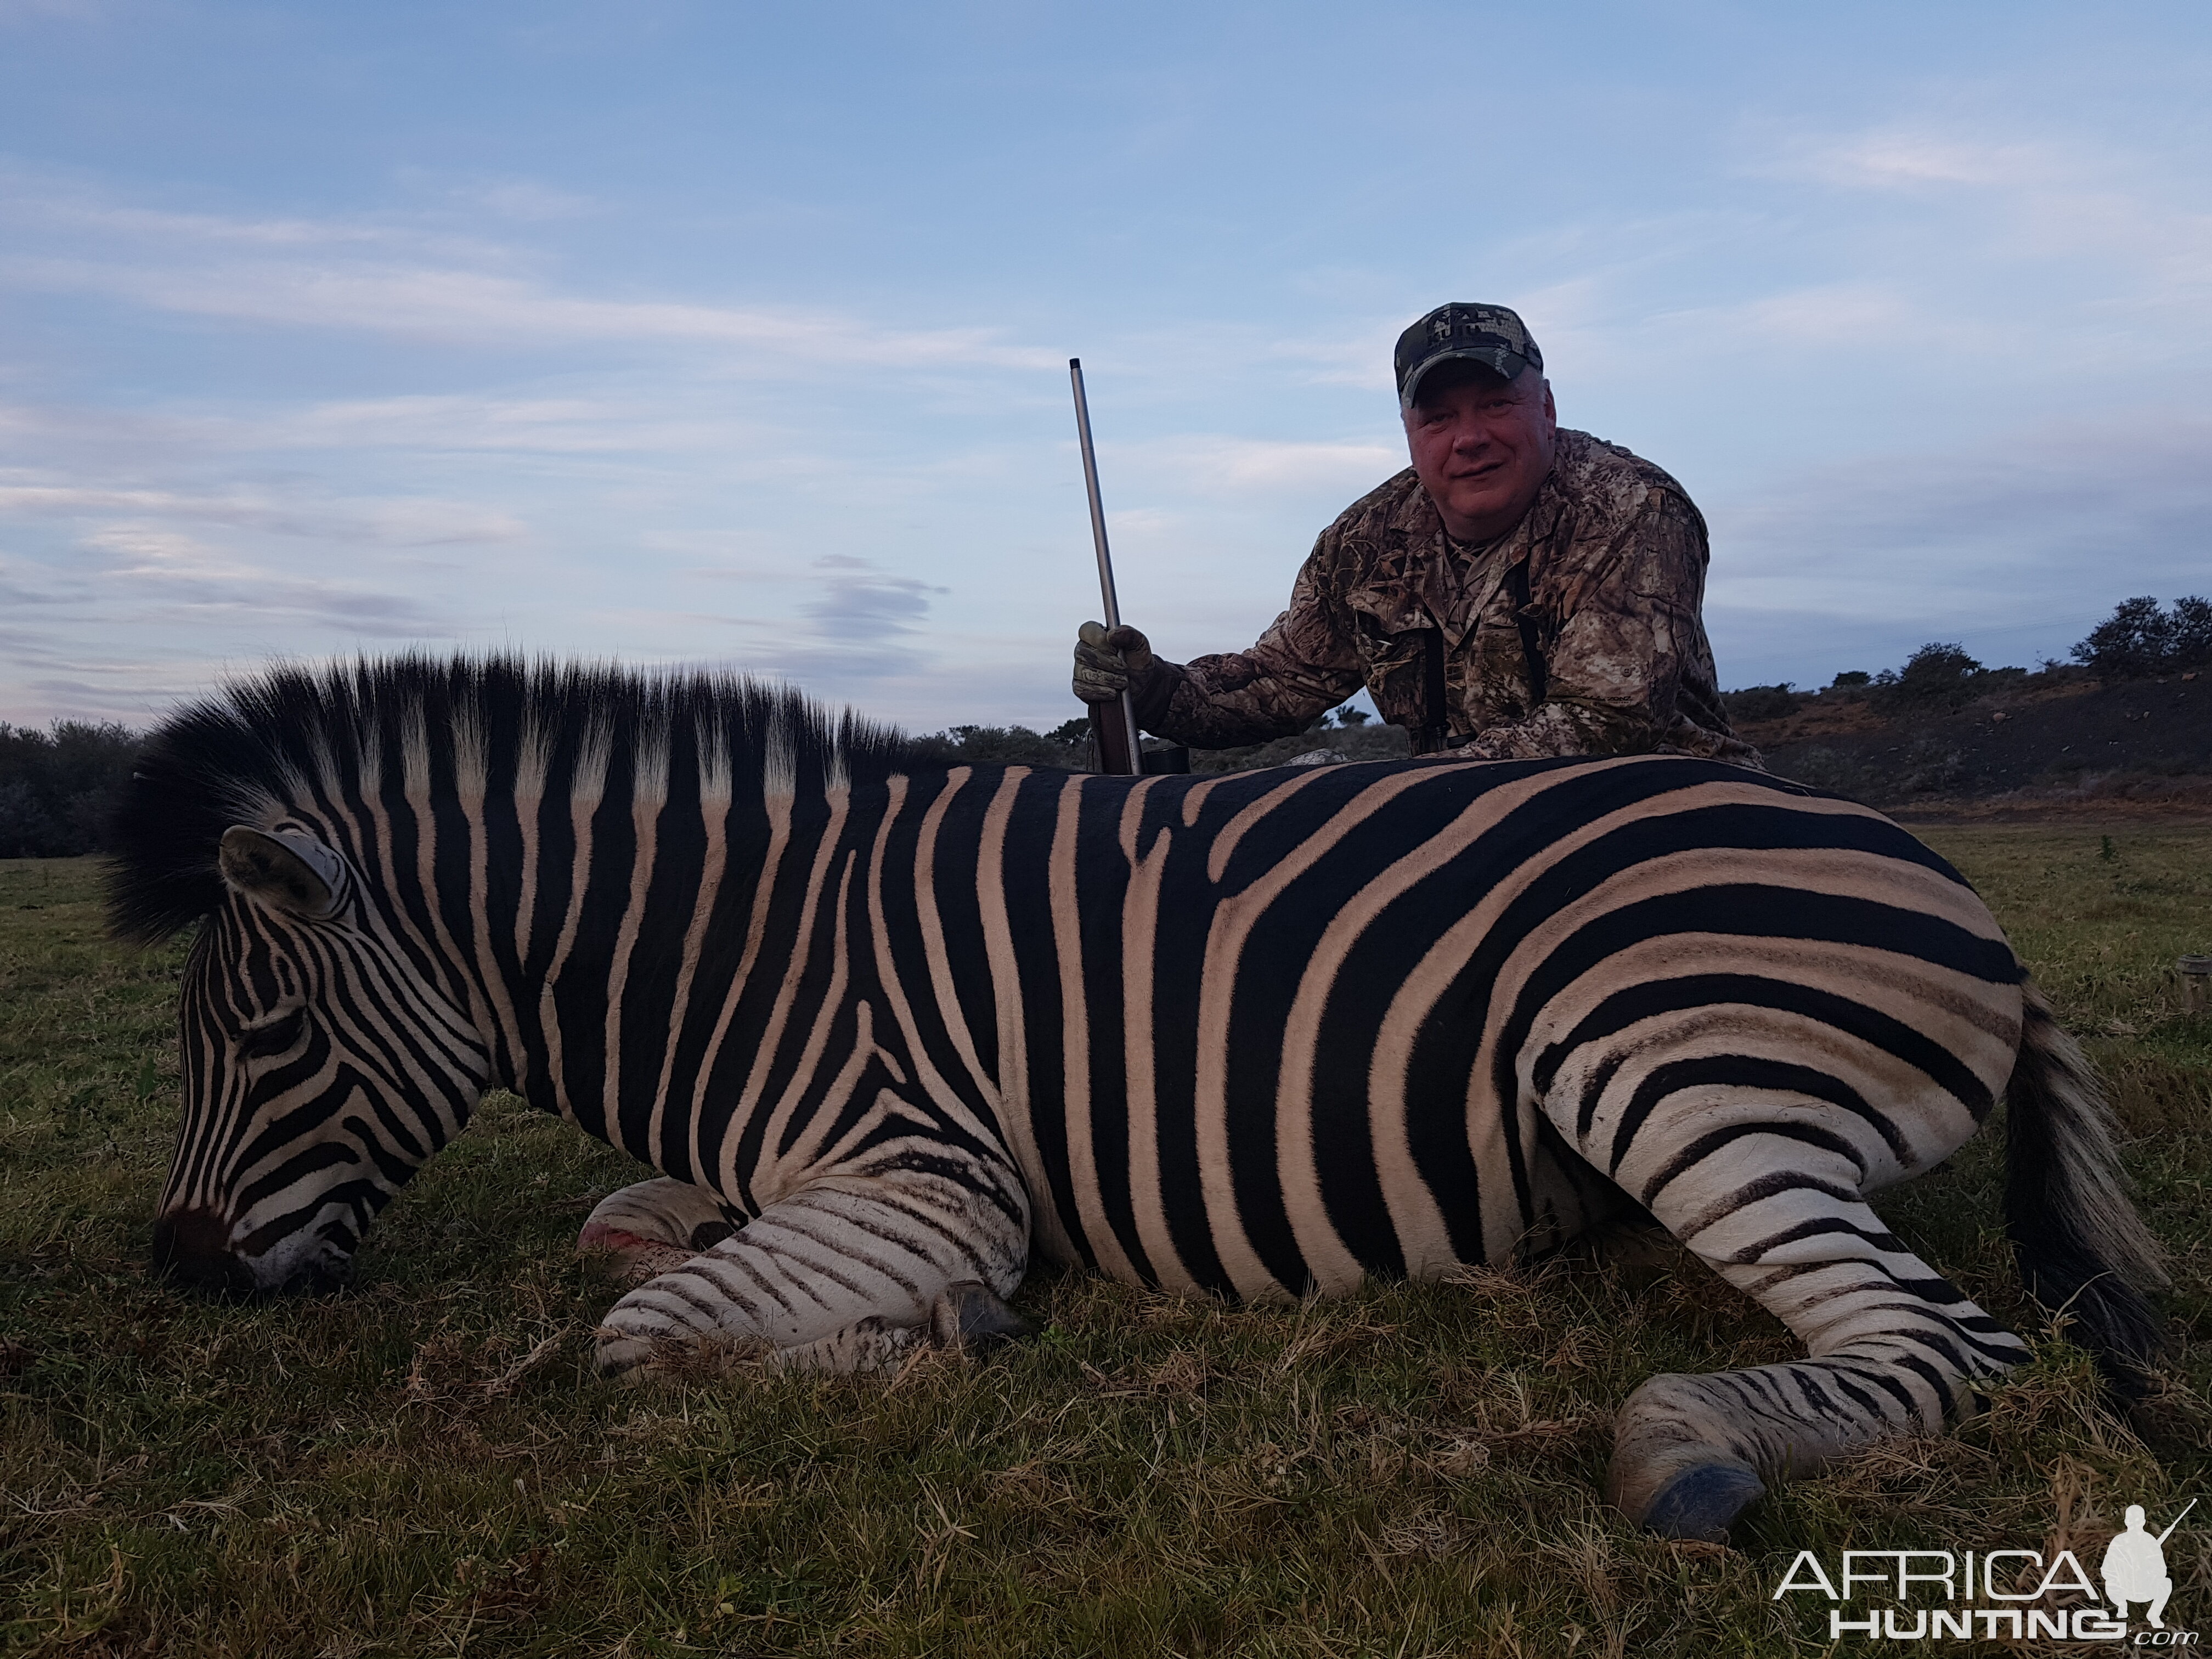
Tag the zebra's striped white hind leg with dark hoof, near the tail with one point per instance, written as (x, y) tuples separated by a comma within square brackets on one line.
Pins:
[(1773, 1202)]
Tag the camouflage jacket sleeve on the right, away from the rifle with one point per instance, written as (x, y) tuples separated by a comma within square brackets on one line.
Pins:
[(1616, 660)]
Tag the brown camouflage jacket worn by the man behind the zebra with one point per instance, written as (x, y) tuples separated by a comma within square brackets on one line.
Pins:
[(1574, 634)]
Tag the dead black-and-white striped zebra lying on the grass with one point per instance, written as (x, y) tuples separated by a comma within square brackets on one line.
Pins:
[(890, 1032)]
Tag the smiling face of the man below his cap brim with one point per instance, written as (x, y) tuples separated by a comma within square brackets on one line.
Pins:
[(1481, 446)]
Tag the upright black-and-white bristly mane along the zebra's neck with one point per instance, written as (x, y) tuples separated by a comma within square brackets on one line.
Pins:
[(295, 733)]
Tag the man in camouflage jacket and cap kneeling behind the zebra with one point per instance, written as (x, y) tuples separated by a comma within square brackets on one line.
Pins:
[(1519, 592)]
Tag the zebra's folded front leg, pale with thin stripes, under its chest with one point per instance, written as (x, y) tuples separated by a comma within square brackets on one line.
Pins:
[(846, 1275)]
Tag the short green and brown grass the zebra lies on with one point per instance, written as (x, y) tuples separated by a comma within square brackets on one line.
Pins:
[(424, 1465)]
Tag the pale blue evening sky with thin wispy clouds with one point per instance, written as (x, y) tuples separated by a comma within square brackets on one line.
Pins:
[(738, 333)]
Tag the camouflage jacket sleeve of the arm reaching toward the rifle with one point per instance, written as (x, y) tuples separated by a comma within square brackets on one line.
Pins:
[(1304, 667)]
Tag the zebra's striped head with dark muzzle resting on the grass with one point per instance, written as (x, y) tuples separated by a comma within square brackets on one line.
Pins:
[(322, 1070)]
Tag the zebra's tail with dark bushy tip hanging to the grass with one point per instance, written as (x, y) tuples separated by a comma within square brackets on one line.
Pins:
[(2076, 1235)]
